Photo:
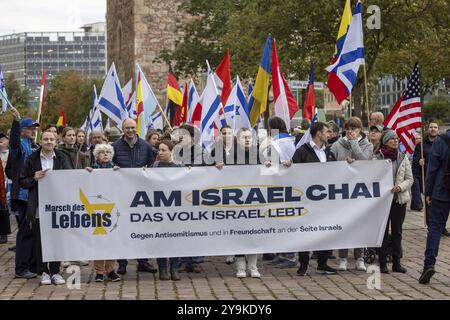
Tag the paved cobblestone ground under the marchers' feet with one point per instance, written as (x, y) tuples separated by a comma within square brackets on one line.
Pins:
[(218, 280)]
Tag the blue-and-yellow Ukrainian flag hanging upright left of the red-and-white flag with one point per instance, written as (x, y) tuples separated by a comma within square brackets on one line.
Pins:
[(258, 99)]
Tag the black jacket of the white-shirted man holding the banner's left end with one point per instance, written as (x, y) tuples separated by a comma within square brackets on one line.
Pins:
[(27, 181)]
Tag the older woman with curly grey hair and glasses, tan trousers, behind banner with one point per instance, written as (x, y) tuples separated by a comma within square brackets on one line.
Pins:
[(103, 154)]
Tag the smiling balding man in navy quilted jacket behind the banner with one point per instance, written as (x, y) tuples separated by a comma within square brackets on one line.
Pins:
[(130, 151)]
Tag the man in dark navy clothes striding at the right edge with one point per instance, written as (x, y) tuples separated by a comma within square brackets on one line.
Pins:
[(437, 196)]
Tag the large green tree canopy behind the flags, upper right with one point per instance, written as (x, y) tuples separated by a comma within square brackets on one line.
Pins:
[(411, 31)]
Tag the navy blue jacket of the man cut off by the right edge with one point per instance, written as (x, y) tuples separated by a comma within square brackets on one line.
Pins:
[(437, 166)]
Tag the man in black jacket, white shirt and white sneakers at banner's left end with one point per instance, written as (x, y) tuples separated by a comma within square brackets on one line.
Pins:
[(38, 164)]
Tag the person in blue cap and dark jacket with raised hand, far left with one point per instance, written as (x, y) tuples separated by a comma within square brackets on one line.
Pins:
[(21, 146)]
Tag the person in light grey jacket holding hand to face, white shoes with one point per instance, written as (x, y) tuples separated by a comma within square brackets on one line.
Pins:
[(354, 145)]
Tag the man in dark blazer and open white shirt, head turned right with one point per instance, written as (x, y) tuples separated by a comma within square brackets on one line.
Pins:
[(315, 151)]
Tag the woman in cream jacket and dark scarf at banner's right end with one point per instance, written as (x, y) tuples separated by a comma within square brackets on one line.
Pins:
[(403, 180)]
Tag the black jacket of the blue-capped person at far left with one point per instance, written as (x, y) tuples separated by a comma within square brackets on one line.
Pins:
[(16, 161)]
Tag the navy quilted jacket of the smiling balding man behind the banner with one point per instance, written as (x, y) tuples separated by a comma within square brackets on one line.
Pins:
[(141, 155)]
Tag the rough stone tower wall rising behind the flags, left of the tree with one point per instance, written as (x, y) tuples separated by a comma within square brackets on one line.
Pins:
[(148, 27)]
